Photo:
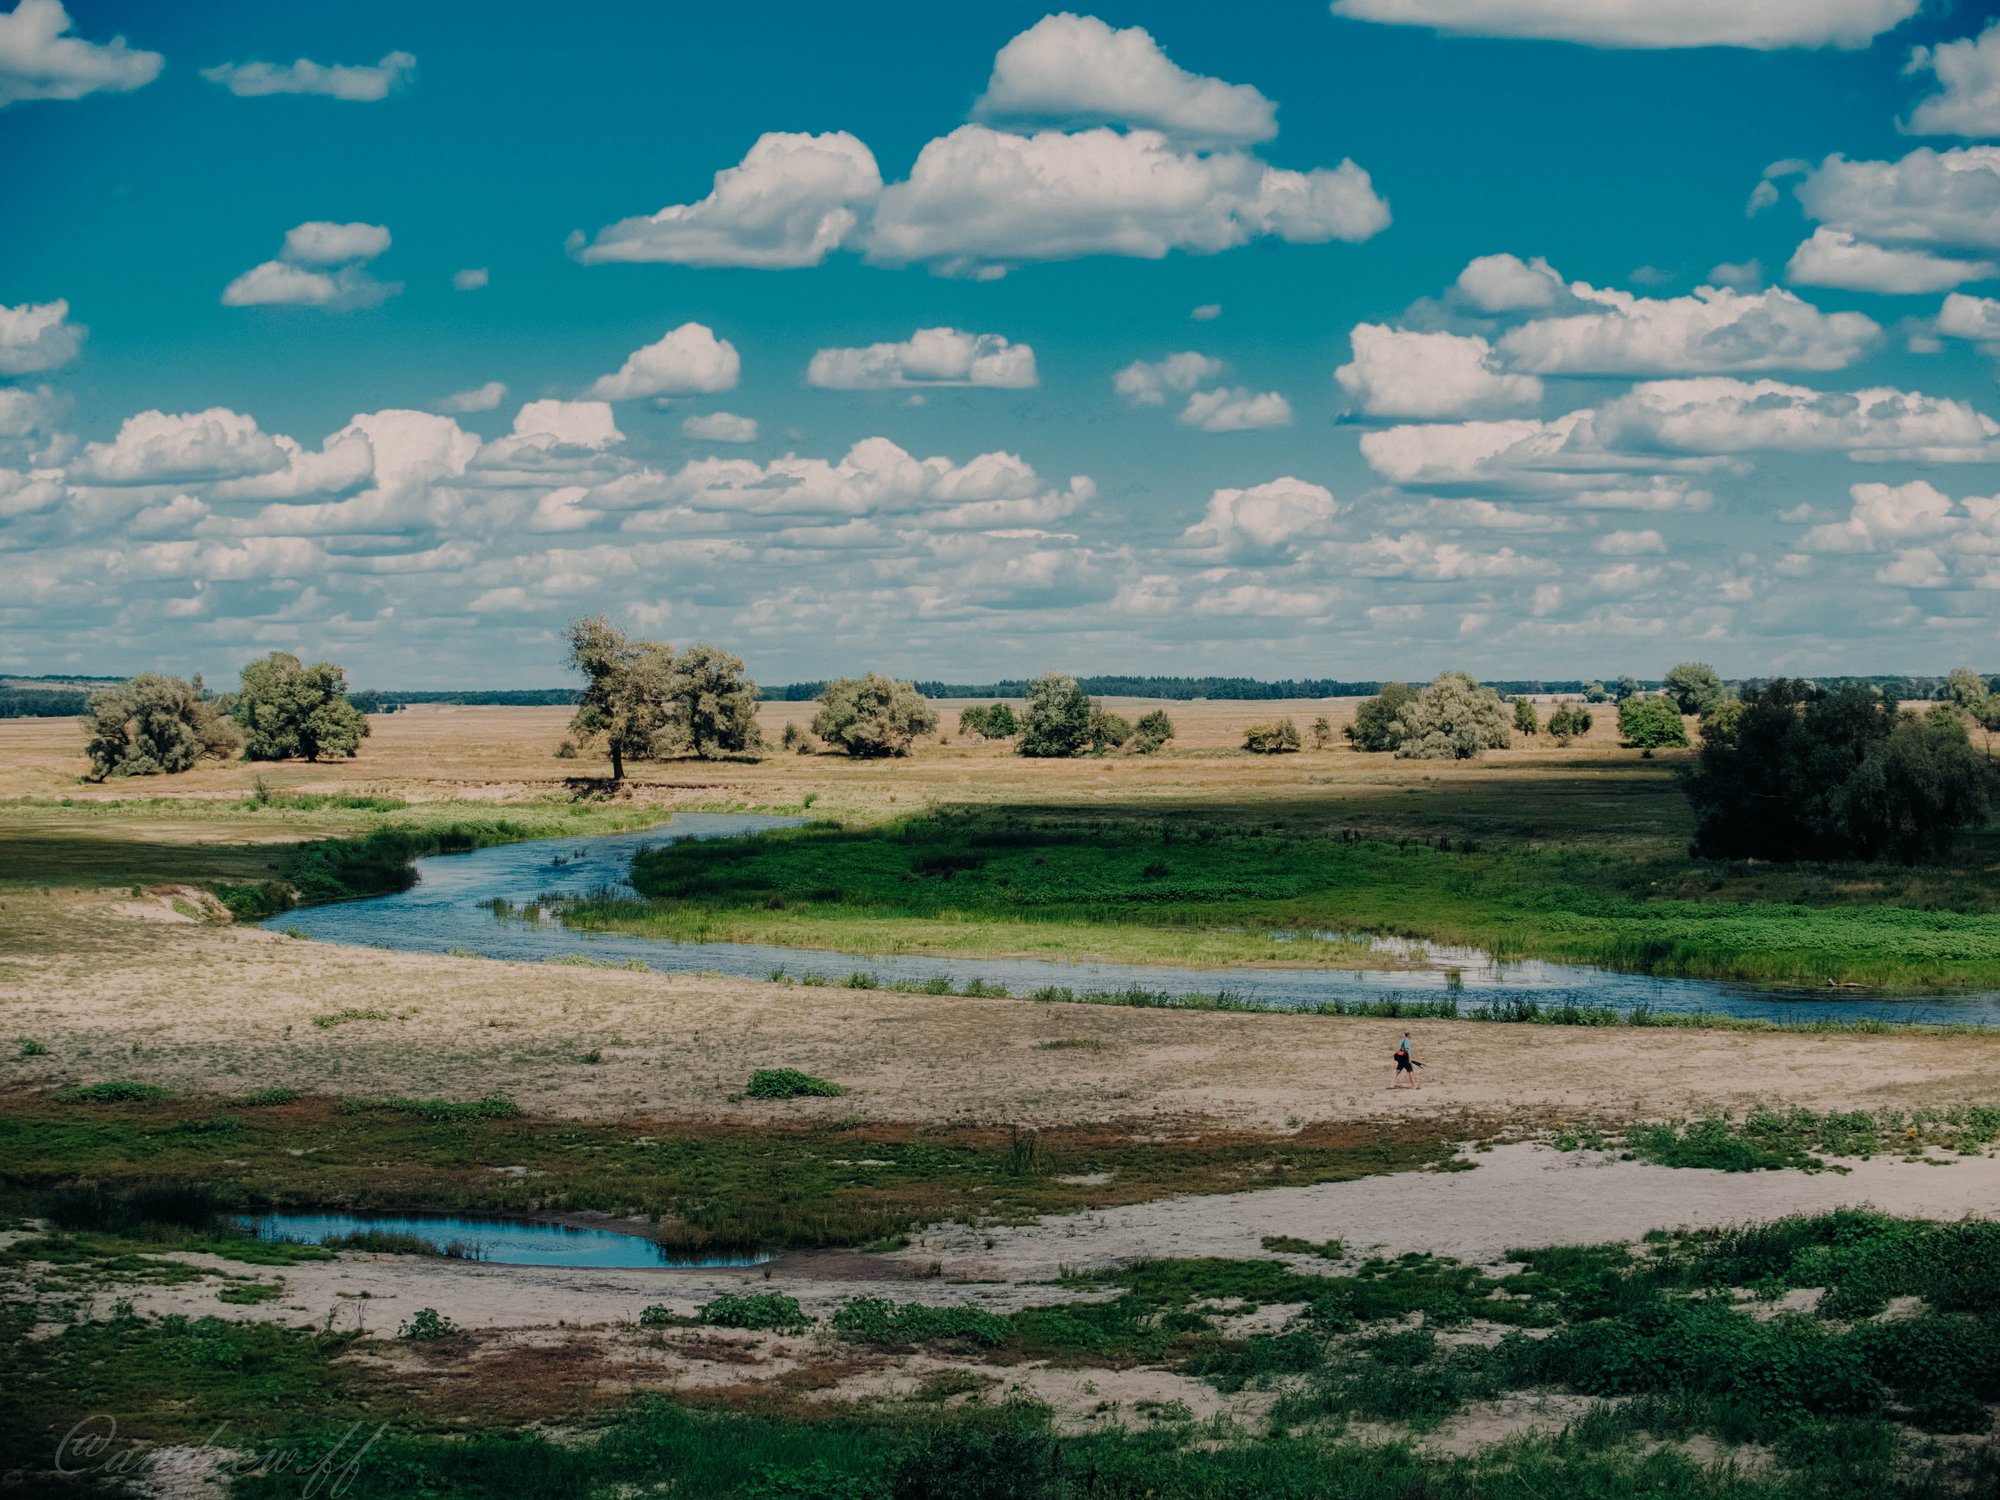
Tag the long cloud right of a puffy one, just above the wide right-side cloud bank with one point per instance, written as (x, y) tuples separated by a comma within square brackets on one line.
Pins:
[(1711, 331)]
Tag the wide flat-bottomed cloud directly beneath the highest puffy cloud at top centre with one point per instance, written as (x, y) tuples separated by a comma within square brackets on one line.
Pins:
[(981, 201)]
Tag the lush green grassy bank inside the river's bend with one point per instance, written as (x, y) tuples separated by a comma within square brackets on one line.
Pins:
[(1141, 887)]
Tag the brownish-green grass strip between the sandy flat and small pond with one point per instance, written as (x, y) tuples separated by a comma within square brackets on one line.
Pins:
[(843, 1185)]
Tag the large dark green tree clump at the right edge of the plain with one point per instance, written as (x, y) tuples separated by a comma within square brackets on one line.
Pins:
[(1797, 773)]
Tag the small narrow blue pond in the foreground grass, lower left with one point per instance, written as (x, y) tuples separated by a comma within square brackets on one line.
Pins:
[(501, 1241)]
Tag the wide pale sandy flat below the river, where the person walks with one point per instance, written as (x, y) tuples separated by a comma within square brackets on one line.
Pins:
[(129, 989)]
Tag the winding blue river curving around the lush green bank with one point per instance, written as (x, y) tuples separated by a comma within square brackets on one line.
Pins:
[(475, 903)]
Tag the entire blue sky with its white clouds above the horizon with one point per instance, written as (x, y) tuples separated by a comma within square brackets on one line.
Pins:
[(1531, 347)]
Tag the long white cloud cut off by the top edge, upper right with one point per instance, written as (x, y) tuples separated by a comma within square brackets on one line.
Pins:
[(1765, 27)]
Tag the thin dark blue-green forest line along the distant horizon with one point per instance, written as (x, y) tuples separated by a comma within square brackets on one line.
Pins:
[(59, 697)]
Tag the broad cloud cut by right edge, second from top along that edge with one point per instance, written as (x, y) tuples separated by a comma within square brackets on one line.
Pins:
[(1949, 197)]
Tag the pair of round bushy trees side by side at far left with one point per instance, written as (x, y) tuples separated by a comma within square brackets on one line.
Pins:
[(163, 725)]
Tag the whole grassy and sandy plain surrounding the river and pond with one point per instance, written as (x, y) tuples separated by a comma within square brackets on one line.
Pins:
[(1169, 1243)]
